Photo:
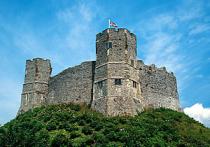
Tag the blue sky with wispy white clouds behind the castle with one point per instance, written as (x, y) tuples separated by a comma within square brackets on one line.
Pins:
[(174, 34)]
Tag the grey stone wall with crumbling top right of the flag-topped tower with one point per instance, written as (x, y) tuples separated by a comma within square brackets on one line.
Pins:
[(158, 87)]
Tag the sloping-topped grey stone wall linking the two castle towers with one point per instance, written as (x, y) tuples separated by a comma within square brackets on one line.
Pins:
[(74, 84)]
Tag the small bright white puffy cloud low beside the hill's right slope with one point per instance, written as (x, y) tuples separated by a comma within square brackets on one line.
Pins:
[(199, 113)]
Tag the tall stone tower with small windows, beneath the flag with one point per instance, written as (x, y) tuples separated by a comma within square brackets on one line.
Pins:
[(116, 85)]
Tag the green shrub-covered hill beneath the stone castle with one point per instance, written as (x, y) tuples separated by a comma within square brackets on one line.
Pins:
[(74, 125)]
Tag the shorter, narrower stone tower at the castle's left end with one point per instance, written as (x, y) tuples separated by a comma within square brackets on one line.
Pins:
[(35, 87)]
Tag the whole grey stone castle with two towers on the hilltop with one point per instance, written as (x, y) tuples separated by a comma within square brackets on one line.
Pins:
[(115, 84)]
